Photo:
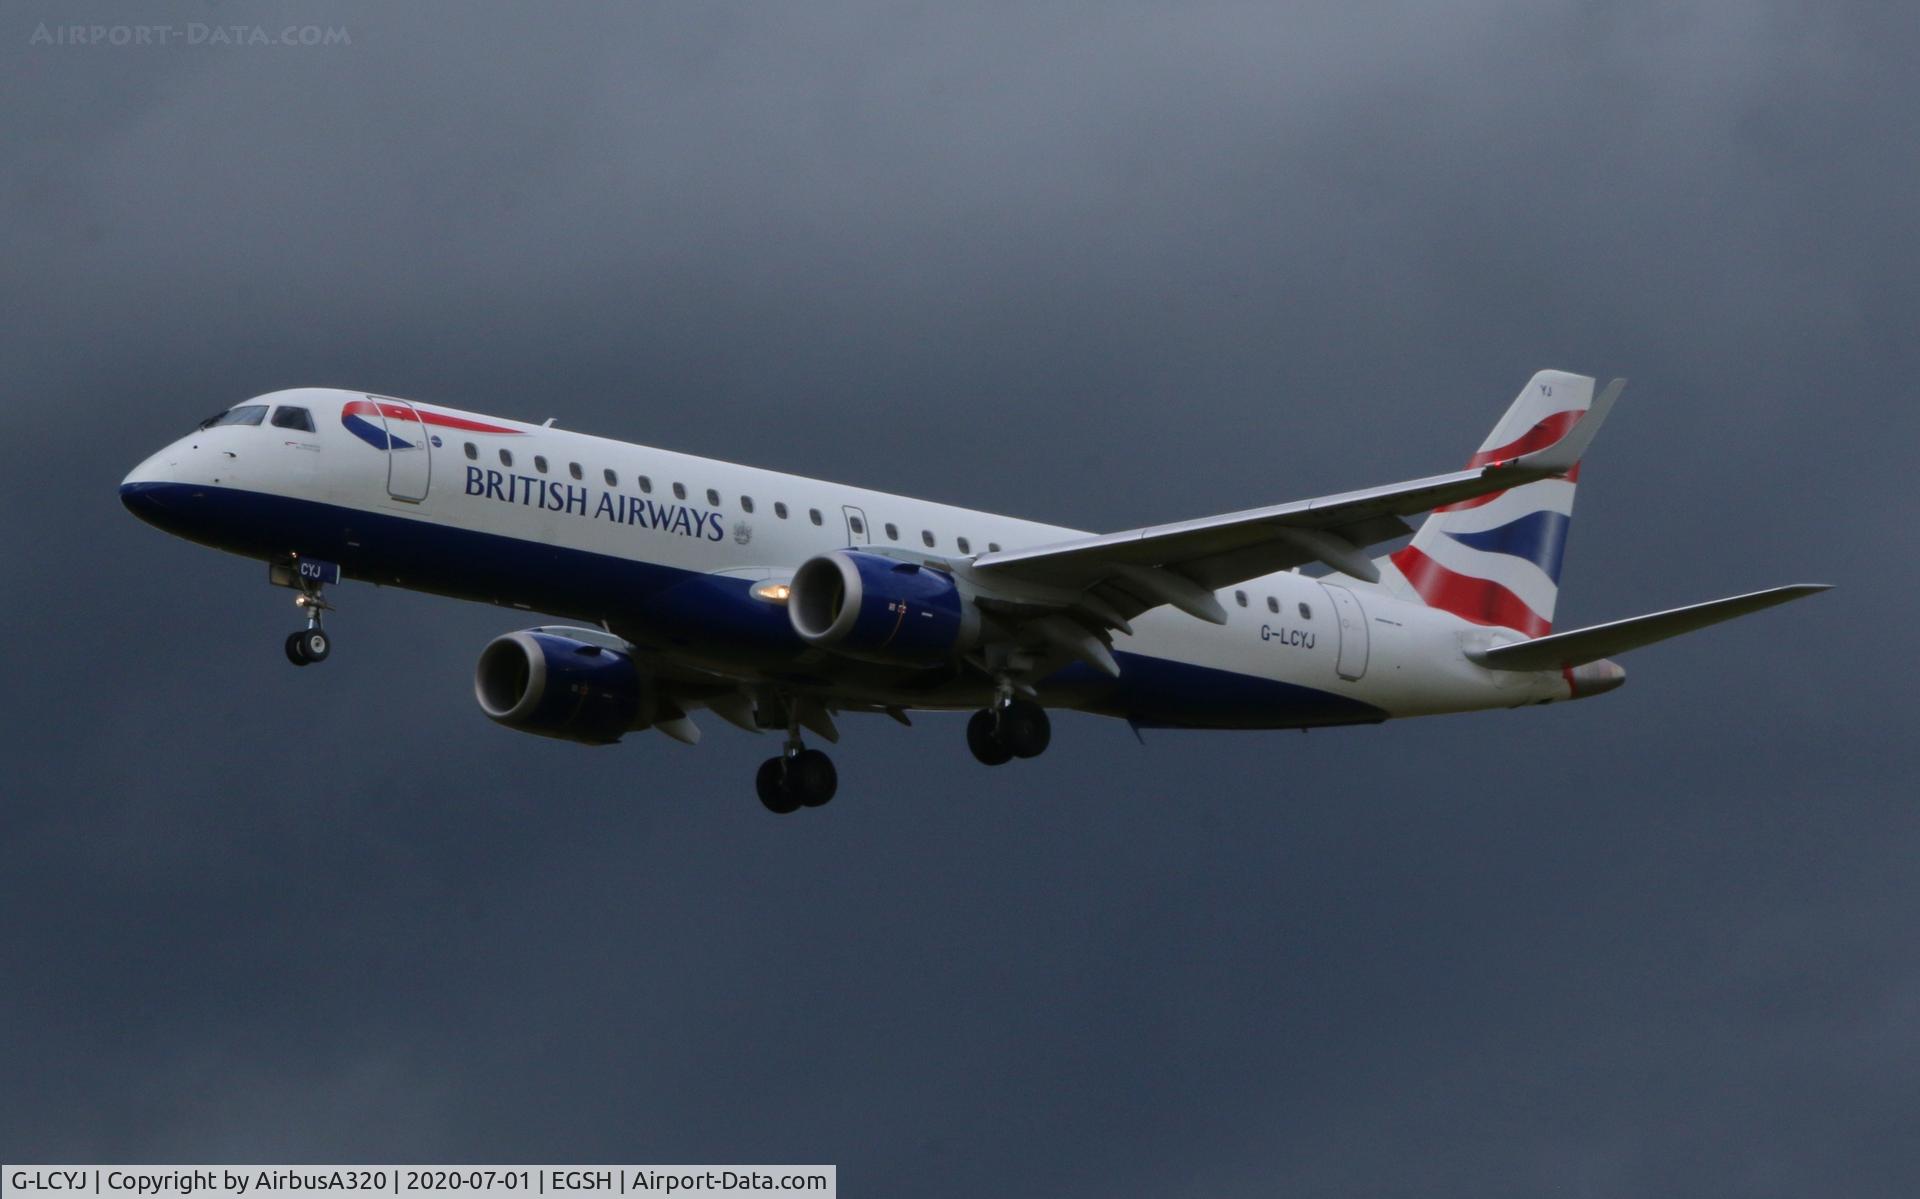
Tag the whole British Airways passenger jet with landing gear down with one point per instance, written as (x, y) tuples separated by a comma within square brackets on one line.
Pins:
[(780, 602)]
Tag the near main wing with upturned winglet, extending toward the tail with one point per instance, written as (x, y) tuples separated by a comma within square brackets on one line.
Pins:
[(1184, 564)]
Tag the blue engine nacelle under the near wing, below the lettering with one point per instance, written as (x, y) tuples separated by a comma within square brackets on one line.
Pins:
[(882, 610)]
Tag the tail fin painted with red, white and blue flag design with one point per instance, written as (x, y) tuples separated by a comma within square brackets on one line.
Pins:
[(1497, 560)]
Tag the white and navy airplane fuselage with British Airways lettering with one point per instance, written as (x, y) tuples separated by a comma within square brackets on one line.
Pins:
[(665, 549)]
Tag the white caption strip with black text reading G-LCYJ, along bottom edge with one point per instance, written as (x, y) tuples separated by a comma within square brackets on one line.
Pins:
[(370, 1183)]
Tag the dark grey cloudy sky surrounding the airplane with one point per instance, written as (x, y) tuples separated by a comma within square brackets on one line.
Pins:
[(1093, 264)]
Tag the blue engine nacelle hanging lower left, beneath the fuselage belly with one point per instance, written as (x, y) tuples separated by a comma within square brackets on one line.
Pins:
[(540, 681)]
